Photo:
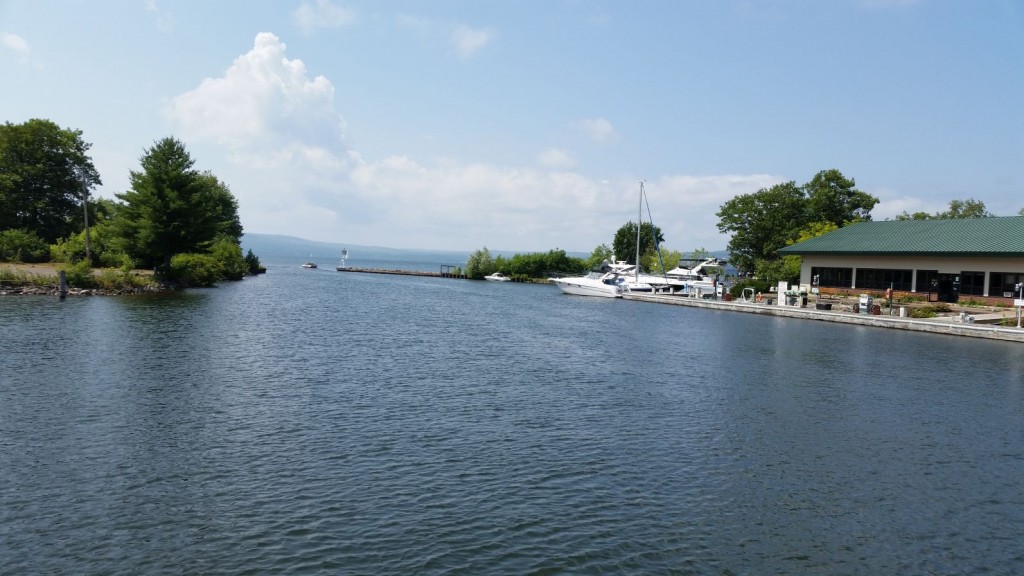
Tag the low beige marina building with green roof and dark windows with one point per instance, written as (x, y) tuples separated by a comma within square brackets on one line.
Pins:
[(947, 260)]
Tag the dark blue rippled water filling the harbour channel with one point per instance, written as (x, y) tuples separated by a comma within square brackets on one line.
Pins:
[(311, 422)]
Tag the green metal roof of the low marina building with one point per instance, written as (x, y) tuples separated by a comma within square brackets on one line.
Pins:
[(998, 236)]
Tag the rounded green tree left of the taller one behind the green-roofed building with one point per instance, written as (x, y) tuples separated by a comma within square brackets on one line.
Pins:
[(762, 223)]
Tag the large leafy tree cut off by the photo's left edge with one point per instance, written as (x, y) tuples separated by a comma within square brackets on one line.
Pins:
[(45, 176)]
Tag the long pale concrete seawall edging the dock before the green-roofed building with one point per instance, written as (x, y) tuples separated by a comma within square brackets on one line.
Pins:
[(942, 325)]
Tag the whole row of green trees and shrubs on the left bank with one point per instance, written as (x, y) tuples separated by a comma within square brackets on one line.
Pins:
[(176, 220)]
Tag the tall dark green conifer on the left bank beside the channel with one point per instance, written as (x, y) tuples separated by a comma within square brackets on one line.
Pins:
[(175, 210)]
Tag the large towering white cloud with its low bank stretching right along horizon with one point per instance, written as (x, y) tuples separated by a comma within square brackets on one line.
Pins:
[(292, 174)]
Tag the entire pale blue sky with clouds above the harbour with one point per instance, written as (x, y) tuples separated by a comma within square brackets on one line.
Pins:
[(530, 126)]
